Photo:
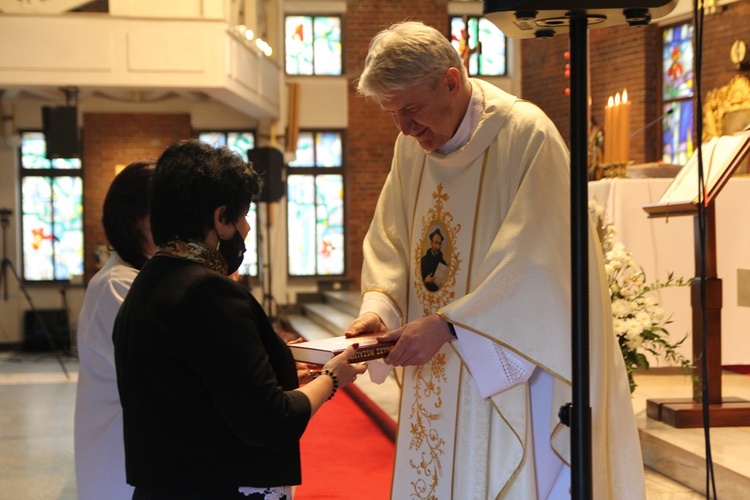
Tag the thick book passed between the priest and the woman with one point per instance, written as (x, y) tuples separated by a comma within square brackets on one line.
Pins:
[(318, 352)]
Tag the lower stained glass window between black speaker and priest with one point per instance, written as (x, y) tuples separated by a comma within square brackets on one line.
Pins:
[(315, 206)]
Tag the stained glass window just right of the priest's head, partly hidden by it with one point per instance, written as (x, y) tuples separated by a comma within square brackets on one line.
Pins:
[(481, 44)]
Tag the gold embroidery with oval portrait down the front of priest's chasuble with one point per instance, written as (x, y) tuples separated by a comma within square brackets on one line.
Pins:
[(436, 261)]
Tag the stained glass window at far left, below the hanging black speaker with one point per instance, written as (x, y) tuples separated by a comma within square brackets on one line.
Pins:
[(52, 213)]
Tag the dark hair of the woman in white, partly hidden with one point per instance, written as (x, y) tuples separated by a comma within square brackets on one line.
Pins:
[(125, 205)]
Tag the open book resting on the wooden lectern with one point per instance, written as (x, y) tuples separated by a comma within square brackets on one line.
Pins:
[(721, 157)]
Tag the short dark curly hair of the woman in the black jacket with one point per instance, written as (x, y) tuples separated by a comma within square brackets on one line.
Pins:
[(192, 179)]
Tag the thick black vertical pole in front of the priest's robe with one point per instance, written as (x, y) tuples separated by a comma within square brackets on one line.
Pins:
[(580, 418)]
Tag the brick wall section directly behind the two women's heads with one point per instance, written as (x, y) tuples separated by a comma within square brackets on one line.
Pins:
[(118, 139)]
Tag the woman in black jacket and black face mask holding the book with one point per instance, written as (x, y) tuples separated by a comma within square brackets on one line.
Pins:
[(212, 406)]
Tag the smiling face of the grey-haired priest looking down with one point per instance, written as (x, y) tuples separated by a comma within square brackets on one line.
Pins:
[(429, 115)]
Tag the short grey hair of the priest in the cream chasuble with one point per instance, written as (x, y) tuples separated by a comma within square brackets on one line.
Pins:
[(407, 54)]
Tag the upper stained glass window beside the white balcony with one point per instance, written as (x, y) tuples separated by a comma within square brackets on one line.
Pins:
[(313, 45)]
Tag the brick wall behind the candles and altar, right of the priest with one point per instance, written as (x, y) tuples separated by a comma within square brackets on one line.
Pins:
[(623, 57)]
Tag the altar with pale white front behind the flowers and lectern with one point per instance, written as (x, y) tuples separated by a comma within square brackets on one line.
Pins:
[(664, 245)]
